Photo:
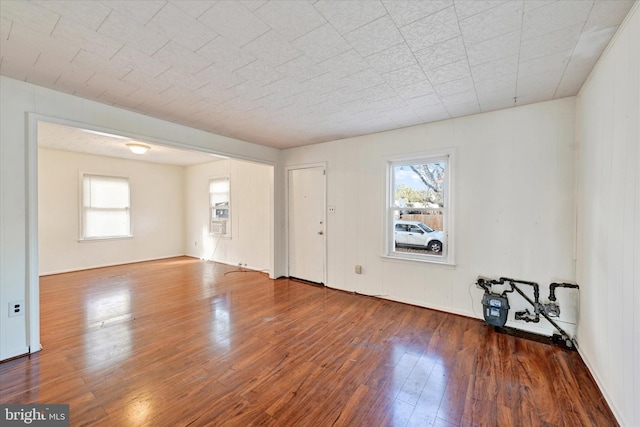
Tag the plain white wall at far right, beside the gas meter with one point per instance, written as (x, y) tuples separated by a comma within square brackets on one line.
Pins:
[(608, 269)]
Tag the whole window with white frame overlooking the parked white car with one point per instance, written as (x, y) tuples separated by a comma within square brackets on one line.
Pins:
[(419, 209)]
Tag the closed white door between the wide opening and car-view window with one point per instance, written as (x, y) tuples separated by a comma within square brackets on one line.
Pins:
[(307, 224)]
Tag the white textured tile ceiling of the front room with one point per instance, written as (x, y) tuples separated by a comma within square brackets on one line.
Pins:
[(290, 73)]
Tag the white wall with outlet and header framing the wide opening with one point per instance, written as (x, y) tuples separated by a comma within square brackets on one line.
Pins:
[(18, 201)]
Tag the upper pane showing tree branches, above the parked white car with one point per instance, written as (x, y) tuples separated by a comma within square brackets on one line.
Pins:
[(419, 185)]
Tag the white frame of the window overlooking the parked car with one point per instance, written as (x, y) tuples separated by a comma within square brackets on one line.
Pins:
[(447, 256)]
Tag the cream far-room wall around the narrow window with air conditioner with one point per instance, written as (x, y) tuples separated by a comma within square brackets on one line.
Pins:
[(251, 214)]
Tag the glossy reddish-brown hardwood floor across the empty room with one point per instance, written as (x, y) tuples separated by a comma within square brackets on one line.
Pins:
[(185, 342)]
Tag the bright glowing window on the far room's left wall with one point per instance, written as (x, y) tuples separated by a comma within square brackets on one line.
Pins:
[(105, 207)]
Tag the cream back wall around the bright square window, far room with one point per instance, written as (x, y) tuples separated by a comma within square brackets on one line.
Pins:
[(157, 206)]
